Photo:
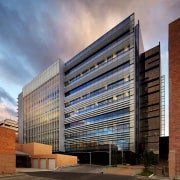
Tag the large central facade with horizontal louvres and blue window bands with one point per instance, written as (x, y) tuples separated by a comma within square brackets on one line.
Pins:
[(100, 94)]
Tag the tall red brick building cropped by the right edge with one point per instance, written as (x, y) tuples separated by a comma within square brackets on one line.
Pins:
[(174, 99)]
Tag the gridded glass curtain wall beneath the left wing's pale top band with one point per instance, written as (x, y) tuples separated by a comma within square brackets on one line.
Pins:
[(41, 114)]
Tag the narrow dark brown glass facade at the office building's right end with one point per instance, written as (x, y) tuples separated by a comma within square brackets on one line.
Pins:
[(150, 104)]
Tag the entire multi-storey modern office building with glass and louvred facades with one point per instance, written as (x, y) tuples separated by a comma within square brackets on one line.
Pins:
[(93, 102)]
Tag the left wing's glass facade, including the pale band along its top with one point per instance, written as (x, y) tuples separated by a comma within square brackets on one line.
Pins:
[(41, 108)]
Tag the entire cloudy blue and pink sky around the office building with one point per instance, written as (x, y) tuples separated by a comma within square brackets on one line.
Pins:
[(35, 33)]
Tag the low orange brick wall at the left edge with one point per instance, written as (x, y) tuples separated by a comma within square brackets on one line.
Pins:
[(7, 151)]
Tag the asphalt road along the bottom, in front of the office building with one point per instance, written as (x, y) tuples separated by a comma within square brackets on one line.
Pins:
[(82, 172)]
